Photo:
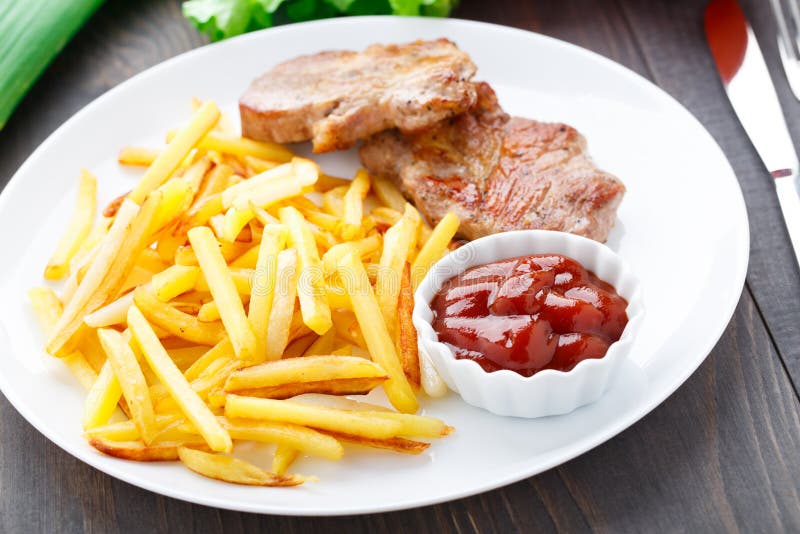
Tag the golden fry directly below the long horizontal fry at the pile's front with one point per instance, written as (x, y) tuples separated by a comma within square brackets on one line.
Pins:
[(305, 440)]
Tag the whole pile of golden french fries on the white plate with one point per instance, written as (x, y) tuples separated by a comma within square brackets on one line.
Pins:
[(231, 279)]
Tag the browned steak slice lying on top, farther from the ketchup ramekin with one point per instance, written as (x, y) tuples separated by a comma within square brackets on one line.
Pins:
[(335, 98)]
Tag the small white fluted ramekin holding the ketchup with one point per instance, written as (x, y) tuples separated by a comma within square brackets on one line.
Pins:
[(547, 392)]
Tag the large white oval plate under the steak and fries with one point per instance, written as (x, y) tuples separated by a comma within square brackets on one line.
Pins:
[(682, 227)]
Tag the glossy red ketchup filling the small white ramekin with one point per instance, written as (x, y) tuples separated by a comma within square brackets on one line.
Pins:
[(529, 313)]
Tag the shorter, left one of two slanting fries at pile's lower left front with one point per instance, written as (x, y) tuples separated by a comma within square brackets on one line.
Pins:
[(131, 381)]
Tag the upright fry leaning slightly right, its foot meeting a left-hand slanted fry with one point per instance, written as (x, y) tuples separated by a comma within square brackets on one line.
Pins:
[(272, 242)]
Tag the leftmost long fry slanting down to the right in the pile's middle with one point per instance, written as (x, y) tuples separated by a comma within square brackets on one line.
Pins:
[(224, 292)]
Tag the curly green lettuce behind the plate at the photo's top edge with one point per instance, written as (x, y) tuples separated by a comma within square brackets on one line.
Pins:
[(220, 19)]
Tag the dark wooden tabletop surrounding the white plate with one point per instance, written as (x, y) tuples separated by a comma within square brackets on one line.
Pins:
[(720, 454)]
